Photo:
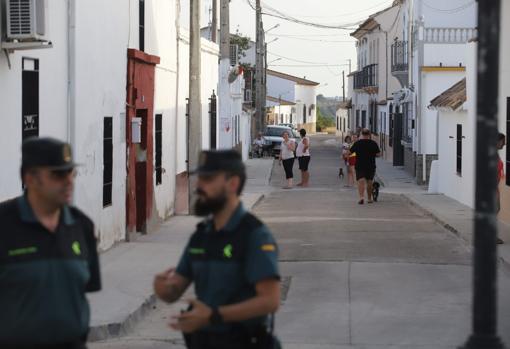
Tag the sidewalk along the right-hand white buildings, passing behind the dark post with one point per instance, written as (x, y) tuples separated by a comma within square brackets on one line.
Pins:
[(451, 214)]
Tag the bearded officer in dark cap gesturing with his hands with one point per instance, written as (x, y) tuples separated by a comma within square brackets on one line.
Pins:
[(232, 259)]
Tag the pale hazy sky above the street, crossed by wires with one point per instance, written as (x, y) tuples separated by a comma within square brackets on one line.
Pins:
[(301, 45)]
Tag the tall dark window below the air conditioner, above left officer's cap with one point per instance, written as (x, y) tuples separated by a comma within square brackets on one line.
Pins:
[(30, 98)]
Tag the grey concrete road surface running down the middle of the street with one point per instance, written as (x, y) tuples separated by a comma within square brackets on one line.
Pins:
[(374, 276)]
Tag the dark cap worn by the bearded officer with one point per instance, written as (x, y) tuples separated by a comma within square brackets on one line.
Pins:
[(214, 161)]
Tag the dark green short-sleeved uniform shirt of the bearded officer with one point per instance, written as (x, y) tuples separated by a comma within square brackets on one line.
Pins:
[(224, 268)]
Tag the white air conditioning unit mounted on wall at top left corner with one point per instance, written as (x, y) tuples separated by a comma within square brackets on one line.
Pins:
[(26, 20)]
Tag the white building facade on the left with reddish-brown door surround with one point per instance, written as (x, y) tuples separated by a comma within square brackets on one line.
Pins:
[(82, 90)]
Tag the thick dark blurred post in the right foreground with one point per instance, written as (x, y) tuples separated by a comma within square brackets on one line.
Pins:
[(485, 329)]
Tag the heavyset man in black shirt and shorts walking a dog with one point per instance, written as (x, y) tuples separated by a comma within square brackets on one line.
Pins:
[(366, 151)]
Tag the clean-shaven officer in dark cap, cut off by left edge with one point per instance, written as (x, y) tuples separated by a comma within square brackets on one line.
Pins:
[(48, 255)]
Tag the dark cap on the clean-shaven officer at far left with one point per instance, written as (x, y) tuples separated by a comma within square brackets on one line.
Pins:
[(46, 152)]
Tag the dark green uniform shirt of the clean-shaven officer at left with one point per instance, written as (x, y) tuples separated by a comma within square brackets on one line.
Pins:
[(44, 275)]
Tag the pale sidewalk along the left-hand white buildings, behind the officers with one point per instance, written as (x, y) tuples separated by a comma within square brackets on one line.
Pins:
[(128, 269)]
